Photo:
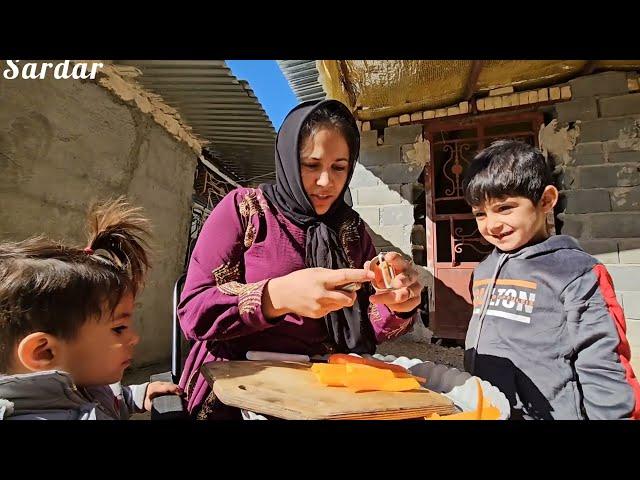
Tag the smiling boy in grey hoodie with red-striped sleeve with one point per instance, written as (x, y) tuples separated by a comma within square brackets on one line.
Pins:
[(546, 329)]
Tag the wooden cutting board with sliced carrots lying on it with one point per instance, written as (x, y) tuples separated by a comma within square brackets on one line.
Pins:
[(291, 391)]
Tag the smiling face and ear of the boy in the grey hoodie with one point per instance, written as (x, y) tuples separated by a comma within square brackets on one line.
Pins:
[(509, 223)]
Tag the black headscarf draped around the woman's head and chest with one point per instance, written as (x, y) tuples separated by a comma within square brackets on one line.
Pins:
[(349, 327)]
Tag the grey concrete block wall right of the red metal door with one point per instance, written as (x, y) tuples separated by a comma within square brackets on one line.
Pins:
[(601, 183)]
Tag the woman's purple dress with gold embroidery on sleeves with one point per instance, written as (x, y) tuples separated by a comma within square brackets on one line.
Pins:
[(244, 243)]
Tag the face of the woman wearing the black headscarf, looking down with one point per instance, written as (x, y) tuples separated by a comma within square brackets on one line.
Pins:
[(324, 167)]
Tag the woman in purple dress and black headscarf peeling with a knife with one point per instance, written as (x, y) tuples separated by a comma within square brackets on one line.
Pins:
[(266, 270)]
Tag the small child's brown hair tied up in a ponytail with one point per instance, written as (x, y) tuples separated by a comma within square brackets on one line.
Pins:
[(48, 287)]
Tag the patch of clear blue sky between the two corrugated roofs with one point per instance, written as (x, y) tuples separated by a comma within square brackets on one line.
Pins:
[(269, 85)]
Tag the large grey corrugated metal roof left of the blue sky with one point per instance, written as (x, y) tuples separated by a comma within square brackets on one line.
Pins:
[(219, 108)]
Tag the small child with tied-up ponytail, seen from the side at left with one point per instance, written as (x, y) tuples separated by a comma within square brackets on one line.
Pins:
[(66, 333)]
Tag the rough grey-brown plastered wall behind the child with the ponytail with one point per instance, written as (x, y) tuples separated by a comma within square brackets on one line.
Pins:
[(65, 143)]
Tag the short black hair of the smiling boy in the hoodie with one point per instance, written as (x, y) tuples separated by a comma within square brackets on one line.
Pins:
[(507, 167)]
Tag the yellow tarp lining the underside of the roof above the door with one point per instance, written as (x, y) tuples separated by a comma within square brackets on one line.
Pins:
[(384, 88)]
